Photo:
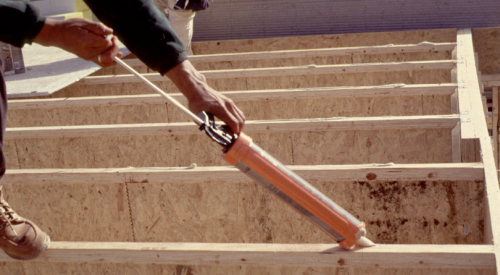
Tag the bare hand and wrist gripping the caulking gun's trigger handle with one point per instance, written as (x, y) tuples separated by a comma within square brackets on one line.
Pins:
[(203, 98)]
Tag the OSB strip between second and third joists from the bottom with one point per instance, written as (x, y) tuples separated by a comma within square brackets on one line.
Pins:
[(300, 148)]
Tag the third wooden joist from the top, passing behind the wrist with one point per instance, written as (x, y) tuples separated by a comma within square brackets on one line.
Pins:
[(302, 93)]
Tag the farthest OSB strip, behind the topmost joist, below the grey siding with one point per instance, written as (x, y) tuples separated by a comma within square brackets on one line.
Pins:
[(325, 41)]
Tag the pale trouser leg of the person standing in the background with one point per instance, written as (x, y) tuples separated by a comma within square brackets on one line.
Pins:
[(182, 23)]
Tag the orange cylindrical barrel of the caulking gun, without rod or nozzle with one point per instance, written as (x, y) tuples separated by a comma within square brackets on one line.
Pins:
[(296, 192)]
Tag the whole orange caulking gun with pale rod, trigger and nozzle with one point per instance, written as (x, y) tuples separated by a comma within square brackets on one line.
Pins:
[(240, 151)]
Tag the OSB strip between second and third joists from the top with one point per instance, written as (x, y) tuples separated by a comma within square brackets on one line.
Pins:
[(260, 83)]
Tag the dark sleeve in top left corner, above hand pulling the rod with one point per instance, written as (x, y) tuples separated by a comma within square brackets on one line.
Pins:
[(20, 22)]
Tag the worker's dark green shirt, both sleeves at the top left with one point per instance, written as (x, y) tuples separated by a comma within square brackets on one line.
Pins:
[(137, 23)]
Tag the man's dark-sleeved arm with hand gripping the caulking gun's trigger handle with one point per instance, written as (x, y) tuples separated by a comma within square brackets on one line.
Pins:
[(146, 32)]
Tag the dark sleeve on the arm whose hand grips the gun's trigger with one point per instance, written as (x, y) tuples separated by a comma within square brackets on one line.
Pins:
[(143, 29)]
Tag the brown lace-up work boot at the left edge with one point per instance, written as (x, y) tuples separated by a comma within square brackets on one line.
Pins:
[(20, 238)]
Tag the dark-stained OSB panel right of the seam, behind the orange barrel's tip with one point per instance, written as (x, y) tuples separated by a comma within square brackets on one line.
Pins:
[(426, 212)]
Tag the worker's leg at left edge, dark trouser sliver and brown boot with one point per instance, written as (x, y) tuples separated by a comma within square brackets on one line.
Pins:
[(19, 238)]
